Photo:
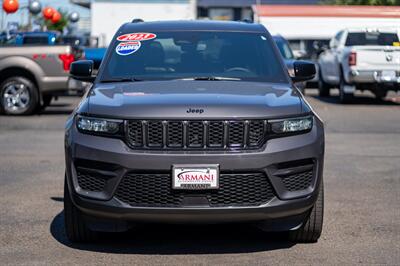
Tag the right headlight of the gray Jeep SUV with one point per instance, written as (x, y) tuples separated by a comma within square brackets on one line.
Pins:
[(291, 125)]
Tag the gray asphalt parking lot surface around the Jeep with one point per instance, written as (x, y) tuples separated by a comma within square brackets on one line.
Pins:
[(362, 207)]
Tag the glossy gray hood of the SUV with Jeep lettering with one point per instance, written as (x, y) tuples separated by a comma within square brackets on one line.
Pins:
[(207, 99)]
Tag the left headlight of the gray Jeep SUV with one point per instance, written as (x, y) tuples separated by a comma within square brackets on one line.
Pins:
[(98, 125)]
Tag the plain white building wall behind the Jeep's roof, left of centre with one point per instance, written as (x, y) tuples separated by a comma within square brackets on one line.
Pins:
[(108, 16)]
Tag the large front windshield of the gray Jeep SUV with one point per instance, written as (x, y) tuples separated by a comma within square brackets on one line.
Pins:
[(194, 54)]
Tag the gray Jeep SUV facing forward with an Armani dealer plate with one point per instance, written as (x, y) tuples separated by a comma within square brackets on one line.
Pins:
[(193, 122)]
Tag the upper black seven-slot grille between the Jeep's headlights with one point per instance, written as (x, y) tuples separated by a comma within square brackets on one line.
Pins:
[(213, 134)]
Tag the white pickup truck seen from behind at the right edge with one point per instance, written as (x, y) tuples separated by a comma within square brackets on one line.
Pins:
[(361, 59)]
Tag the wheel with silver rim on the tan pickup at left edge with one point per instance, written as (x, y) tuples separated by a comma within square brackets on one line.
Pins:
[(18, 96)]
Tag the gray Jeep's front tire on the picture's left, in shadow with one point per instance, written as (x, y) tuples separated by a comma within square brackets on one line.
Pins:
[(75, 227)]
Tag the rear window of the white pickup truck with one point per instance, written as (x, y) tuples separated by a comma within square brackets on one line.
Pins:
[(371, 38)]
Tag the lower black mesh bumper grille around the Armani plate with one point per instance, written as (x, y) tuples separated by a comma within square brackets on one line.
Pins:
[(155, 190)]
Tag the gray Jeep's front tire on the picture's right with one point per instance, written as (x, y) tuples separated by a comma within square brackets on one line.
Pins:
[(311, 229)]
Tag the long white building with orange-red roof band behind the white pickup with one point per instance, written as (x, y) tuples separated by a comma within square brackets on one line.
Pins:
[(301, 25)]
